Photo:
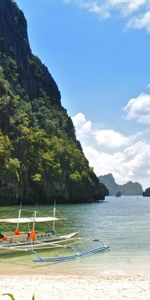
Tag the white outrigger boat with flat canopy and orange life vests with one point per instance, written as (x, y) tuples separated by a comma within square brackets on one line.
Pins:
[(31, 239)]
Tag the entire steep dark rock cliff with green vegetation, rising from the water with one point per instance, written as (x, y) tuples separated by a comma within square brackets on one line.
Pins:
[(40, 158)]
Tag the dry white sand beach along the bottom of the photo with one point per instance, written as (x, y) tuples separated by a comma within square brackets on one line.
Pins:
[(105, 287)]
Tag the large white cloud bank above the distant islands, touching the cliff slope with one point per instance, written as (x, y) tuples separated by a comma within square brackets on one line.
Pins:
[(108, 151)]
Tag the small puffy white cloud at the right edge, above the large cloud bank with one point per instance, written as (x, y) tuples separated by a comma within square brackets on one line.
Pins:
[(139, 109)]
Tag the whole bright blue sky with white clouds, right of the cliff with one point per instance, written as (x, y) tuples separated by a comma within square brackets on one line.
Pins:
[(98, 52)]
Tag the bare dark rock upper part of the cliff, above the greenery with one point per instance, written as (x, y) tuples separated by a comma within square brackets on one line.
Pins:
[(14, 39)]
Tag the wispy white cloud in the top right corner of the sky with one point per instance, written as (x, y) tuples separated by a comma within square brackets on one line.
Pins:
[(135, 12)]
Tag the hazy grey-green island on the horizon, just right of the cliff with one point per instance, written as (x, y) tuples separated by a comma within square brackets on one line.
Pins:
[(130, 188)]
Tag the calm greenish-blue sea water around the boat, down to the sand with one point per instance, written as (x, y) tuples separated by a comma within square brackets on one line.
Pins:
[(122, 223)]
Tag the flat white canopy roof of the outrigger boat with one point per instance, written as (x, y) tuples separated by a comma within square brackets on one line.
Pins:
[(30, 220)]
